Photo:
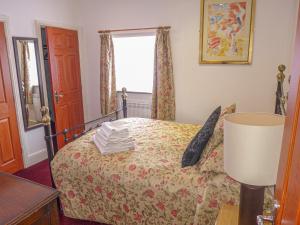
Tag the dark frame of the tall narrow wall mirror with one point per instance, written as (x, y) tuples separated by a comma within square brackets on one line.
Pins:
[(39, 74)]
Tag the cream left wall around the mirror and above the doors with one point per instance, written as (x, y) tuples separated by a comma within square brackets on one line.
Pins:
[(21, 16)]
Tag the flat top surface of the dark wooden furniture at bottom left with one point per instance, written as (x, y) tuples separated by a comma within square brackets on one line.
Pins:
[(20, 197)]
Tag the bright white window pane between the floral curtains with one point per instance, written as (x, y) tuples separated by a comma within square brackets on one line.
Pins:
[(134, 62)]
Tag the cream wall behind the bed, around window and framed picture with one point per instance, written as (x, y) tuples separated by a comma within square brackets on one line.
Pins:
[(199, 88)]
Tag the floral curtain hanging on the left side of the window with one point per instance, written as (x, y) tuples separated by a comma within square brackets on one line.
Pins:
[(108, 94)]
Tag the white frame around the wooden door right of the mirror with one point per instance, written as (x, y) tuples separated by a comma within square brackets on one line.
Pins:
[(41, 23)]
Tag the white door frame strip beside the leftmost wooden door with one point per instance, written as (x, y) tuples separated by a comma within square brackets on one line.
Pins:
[(15, 86)]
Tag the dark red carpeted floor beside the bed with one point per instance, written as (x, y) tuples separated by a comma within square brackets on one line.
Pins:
[(40, 173)]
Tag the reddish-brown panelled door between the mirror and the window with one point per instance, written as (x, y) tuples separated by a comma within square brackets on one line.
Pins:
[(64, 65)]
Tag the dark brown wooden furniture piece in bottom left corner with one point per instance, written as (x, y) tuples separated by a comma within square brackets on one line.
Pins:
[(25, 202)]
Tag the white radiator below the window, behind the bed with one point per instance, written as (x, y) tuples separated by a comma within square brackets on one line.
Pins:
[(139, 109)]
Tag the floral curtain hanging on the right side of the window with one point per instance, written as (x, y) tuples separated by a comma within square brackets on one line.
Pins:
[(163, 94)]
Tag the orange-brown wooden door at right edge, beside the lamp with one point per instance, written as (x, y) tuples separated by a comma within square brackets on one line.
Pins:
[(288, 179)]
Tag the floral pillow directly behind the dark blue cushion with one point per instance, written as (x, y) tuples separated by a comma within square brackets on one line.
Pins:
[(218, 135)]
